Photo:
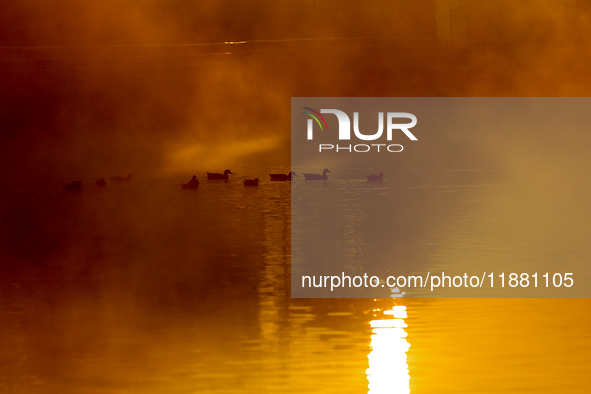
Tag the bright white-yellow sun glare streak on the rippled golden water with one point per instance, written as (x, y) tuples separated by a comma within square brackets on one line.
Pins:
[(388, 367)]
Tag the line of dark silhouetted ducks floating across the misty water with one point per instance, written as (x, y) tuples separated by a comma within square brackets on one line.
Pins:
[(214, 176)]
